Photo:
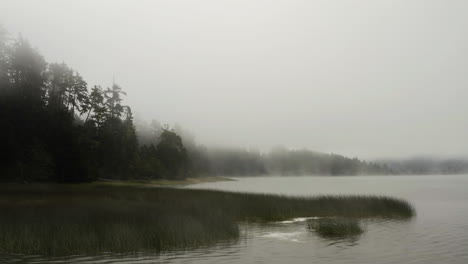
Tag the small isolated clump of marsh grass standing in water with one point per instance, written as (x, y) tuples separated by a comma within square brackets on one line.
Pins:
[(335, 227)]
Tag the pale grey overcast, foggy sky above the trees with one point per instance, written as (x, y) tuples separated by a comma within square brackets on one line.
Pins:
[(363, 78)]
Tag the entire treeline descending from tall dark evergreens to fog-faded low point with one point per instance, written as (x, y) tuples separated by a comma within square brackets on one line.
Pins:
[(56, 127)]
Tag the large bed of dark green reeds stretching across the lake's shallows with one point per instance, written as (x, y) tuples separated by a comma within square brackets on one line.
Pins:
[(53, 219)]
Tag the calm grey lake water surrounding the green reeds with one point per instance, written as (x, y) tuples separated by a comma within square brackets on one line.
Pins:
[(438, 234)]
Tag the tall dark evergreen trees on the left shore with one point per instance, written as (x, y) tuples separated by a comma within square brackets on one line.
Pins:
[(56, 129)]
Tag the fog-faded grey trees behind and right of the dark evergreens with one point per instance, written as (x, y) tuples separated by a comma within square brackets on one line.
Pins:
[(278, 161)]
